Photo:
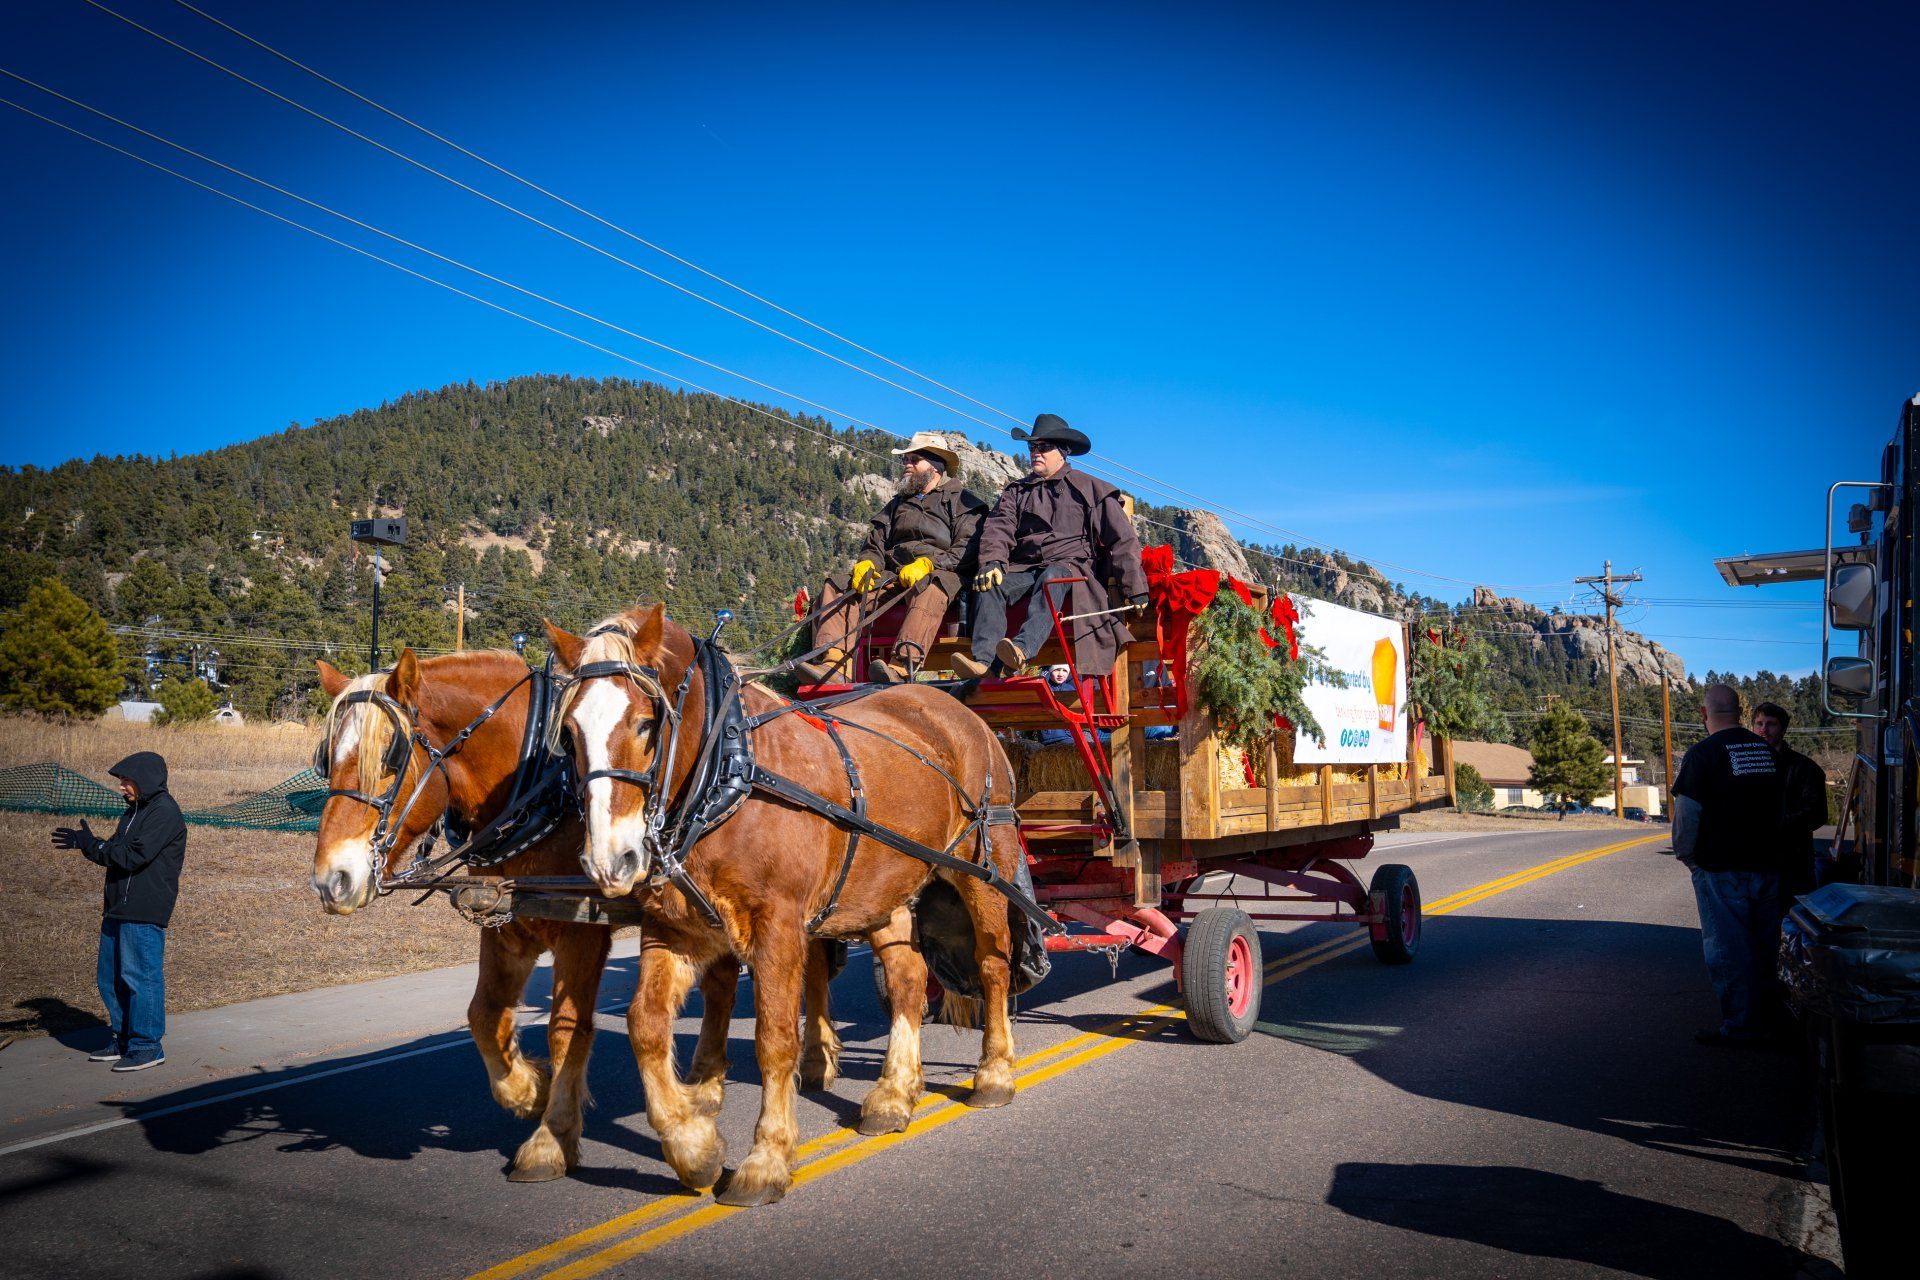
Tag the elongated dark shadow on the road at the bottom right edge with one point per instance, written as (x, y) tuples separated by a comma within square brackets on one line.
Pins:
[(1552, 1216)]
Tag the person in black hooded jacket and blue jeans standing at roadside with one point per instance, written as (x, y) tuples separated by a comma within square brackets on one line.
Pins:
[(143, 861)]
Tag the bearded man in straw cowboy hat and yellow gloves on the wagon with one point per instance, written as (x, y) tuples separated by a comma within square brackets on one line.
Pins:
[(926, 536)]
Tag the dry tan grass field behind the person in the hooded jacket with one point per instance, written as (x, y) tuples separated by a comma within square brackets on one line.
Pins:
[(247, 924)]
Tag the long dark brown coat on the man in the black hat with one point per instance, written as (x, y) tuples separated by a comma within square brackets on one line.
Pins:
[(1076, 523)]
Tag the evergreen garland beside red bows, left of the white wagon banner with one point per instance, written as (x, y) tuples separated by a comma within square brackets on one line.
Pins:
[(1245, 682)]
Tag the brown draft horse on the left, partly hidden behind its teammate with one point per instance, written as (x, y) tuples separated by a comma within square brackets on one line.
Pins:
[(441, 698)]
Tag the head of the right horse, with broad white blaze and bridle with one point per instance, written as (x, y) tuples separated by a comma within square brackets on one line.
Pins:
[(619, 717)]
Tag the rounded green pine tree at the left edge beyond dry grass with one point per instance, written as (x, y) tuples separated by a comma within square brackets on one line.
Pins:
[(59, 655)]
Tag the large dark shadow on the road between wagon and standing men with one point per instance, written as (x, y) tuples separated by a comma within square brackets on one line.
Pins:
[(1579, 1024)]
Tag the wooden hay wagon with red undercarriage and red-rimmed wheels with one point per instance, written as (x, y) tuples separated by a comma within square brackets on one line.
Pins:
[(1134, 836)]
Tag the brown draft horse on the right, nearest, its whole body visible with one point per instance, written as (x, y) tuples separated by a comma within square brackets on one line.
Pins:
[(771, 868)]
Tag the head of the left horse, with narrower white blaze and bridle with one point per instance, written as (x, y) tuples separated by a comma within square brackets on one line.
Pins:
[(383, 790)]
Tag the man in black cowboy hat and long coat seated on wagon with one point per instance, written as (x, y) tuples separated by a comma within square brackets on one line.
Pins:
[(1053, 523)]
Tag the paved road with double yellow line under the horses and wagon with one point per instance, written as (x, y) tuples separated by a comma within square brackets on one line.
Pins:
[(1525, 1101)]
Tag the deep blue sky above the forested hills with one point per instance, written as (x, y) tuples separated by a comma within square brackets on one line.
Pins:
[(1485, 293)]
